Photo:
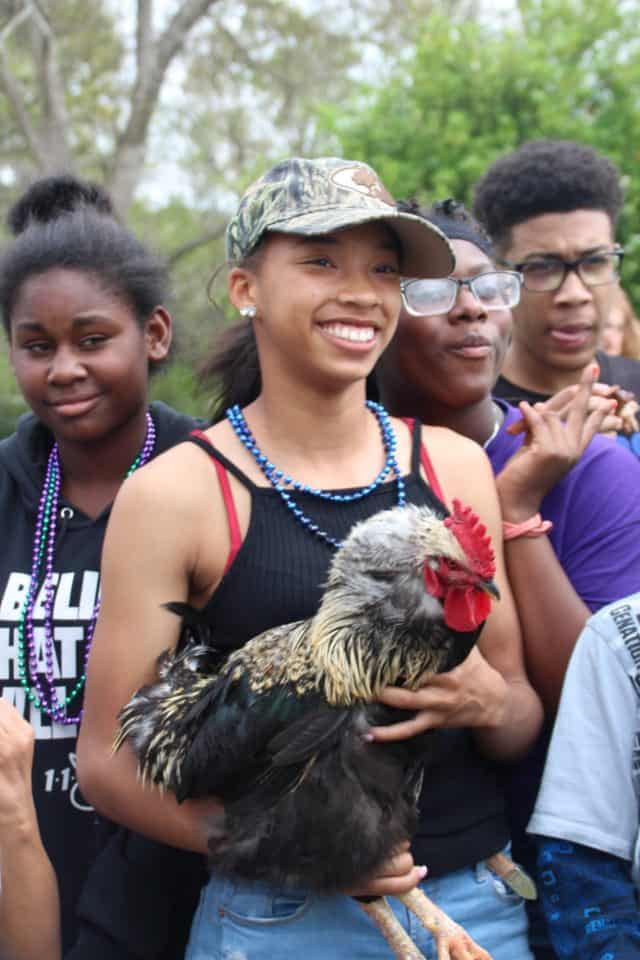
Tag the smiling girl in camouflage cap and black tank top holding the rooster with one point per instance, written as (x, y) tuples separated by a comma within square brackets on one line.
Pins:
[(317, 248)]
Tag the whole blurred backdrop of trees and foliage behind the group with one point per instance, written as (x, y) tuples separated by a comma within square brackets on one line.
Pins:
[(451, 85)]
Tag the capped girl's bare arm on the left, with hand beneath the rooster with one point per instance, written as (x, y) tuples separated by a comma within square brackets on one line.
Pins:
[(181, 562)]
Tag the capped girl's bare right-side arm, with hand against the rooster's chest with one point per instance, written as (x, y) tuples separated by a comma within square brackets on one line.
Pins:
[(490, 690)]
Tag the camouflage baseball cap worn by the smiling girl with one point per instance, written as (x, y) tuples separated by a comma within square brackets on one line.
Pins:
[(314, 197)]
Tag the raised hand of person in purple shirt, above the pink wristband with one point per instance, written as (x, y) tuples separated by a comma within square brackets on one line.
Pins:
[(556, 435)]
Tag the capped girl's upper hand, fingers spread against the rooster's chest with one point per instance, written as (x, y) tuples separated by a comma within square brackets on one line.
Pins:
[(473, 694)]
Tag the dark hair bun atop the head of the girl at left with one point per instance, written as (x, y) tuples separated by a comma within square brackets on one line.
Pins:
[(51, 197)]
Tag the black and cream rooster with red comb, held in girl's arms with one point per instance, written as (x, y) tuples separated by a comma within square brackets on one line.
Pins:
[(278, 728)]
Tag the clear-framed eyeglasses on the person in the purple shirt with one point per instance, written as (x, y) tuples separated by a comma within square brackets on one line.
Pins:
[(495, 290)]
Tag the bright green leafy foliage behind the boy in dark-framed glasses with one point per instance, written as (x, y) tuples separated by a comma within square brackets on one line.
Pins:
[(474, 90)]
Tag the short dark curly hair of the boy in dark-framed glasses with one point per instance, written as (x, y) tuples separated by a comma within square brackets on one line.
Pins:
[(545, 176)]
